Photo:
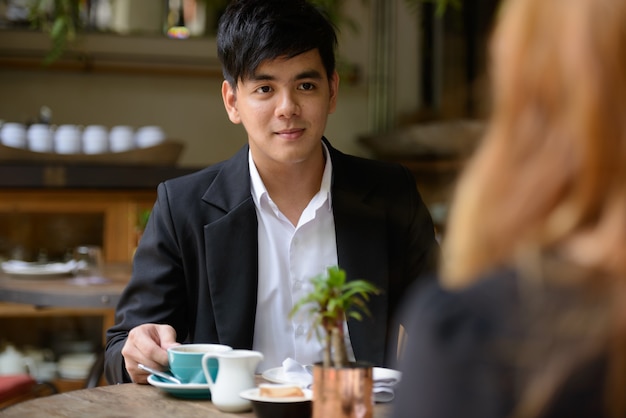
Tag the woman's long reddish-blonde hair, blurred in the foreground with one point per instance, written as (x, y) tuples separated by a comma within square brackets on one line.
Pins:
[(551, 171)]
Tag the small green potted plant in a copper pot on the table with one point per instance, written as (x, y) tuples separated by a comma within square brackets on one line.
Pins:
[(340, 388)]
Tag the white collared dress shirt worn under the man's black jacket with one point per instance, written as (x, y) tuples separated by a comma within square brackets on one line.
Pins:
[(288, 258)]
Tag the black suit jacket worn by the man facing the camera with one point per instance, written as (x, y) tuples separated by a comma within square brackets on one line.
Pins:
[(196, 265)]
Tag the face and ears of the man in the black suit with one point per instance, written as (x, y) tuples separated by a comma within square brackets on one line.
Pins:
[(284, 107)]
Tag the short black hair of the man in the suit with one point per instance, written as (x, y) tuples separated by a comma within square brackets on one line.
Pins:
[(252, 31)]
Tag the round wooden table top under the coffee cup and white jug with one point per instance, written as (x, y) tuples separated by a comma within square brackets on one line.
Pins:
[(128, 400)]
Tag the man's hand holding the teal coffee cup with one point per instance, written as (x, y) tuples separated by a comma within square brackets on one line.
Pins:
[(147, 344)]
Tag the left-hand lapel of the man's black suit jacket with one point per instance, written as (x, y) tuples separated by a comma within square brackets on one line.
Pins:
[(231, 252)]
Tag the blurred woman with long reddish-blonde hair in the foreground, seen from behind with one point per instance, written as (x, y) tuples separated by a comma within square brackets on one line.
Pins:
[(531, 320)]
